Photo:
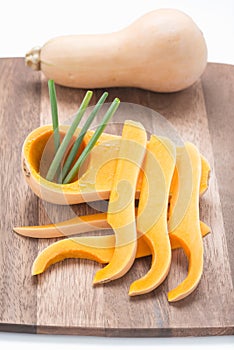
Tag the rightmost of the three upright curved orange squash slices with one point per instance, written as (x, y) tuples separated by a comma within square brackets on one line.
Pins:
[(184, 225)]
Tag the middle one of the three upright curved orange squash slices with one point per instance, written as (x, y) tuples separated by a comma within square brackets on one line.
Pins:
[(152, 212)]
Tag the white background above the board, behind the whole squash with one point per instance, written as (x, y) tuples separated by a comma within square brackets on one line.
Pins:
[(28, 23)]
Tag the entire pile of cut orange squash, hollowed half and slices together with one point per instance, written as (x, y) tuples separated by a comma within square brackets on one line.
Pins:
[(167, 180)]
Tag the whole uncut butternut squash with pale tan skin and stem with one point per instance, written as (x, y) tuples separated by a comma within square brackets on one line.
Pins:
[(162, 51)]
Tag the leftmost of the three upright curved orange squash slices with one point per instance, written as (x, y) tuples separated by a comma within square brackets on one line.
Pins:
[(121, 208)]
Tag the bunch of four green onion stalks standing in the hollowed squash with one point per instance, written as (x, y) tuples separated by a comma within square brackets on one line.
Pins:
[(65, 175)]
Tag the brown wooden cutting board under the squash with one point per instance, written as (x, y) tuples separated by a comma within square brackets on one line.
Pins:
[(62, 300)]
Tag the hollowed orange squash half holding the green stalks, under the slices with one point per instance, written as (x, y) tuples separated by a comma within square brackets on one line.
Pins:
[(96, 181)]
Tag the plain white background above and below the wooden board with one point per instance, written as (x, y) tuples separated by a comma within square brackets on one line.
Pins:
[(25, 24)]
